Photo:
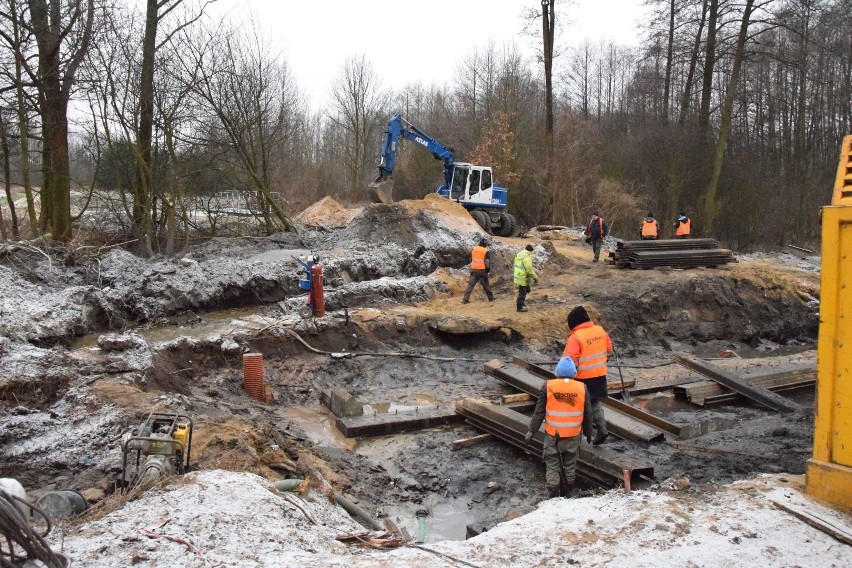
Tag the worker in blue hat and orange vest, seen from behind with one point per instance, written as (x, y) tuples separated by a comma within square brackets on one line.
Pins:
[(564, 407)]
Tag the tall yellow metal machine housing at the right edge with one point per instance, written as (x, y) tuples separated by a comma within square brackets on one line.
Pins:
[(829, 474)]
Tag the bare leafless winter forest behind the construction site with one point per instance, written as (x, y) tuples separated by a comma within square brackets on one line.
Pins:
[(732, 111)]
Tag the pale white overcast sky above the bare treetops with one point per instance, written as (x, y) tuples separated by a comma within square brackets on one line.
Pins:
[(408, 41)]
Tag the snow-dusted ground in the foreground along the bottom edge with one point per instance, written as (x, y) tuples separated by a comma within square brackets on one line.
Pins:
[(219, 518)]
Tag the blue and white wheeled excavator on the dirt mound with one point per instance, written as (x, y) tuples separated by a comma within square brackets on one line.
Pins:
[(471, 186)]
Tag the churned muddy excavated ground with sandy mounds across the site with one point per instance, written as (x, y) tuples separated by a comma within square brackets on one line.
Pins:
[(90, 343)]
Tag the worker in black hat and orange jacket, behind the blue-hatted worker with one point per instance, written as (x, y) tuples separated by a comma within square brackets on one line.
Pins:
[(589, 345)]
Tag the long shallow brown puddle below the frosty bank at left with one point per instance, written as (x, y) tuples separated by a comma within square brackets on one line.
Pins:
[(212, 323)]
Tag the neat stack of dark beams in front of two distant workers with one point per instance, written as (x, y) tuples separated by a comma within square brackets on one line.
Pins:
[(678, 253)]
